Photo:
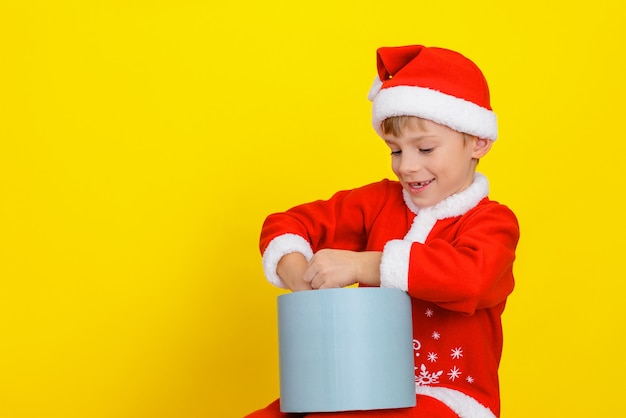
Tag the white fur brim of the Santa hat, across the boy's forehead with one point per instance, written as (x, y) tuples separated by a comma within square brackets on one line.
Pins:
[(456, 113)]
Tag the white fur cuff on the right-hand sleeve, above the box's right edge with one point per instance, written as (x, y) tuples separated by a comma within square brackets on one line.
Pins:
[(394, 264)]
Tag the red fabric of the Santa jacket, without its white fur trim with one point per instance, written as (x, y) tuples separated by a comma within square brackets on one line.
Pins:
[(458, 279)]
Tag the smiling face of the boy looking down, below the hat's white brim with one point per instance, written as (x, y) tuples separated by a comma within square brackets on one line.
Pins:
[(433, 161)]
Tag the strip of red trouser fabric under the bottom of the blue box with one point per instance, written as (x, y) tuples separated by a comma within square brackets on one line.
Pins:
[(426, 407)]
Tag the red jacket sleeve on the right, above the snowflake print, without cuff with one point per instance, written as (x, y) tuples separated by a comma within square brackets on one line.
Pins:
[(471, 267)]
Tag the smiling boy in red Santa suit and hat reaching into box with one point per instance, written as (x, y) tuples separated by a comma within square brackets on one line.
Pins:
[(433, 233)]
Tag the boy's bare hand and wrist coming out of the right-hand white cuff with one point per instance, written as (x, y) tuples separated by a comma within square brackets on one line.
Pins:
[(330, 268)]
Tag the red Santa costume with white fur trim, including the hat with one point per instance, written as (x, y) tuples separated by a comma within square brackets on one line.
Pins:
[(454, 259)]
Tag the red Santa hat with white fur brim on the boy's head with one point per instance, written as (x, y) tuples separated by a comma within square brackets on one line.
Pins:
[(432, 83)]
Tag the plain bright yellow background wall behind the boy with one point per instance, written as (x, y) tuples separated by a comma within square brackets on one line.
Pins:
[(142, 143)]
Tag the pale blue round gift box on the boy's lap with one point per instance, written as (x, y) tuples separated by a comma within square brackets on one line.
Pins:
[(345, 349)]
